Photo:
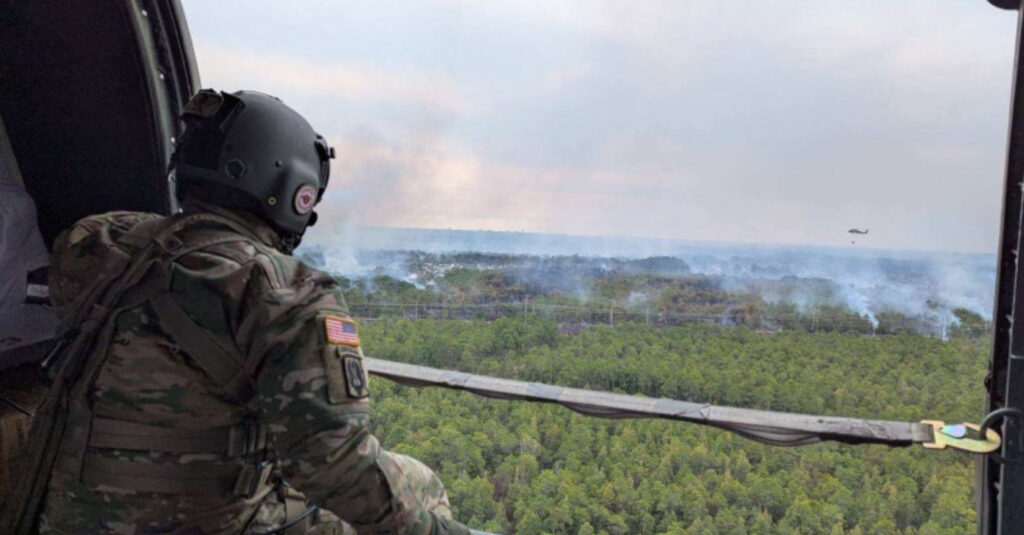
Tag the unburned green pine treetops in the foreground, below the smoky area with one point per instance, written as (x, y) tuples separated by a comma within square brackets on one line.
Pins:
[(530, 470)]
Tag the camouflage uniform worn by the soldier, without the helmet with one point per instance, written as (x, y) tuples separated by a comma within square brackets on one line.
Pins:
[(155, 460)]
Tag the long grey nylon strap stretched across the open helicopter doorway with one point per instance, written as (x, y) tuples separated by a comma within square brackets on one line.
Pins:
[(774, 428)]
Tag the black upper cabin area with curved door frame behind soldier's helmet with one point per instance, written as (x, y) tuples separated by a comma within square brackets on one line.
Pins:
[(86, 99)]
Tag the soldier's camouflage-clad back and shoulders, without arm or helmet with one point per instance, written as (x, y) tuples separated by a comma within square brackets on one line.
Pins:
[(168, 441)]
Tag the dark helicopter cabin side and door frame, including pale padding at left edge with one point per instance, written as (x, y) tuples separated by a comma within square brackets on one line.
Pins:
[(90, 98)]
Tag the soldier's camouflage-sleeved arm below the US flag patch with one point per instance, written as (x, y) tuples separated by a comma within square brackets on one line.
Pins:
[(316, 405)]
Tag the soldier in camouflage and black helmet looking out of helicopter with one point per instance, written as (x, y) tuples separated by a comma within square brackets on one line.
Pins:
[(220, 388)]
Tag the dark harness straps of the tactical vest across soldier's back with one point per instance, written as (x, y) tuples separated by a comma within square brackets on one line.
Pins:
[(65, 428)]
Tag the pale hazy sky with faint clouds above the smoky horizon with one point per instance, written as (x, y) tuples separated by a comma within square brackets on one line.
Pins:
[(769, 121)]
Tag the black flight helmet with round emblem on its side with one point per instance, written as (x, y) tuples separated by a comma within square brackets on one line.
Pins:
[(249, 151)]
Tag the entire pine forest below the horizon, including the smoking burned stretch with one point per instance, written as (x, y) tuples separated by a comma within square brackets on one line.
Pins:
[(656, 327)]
